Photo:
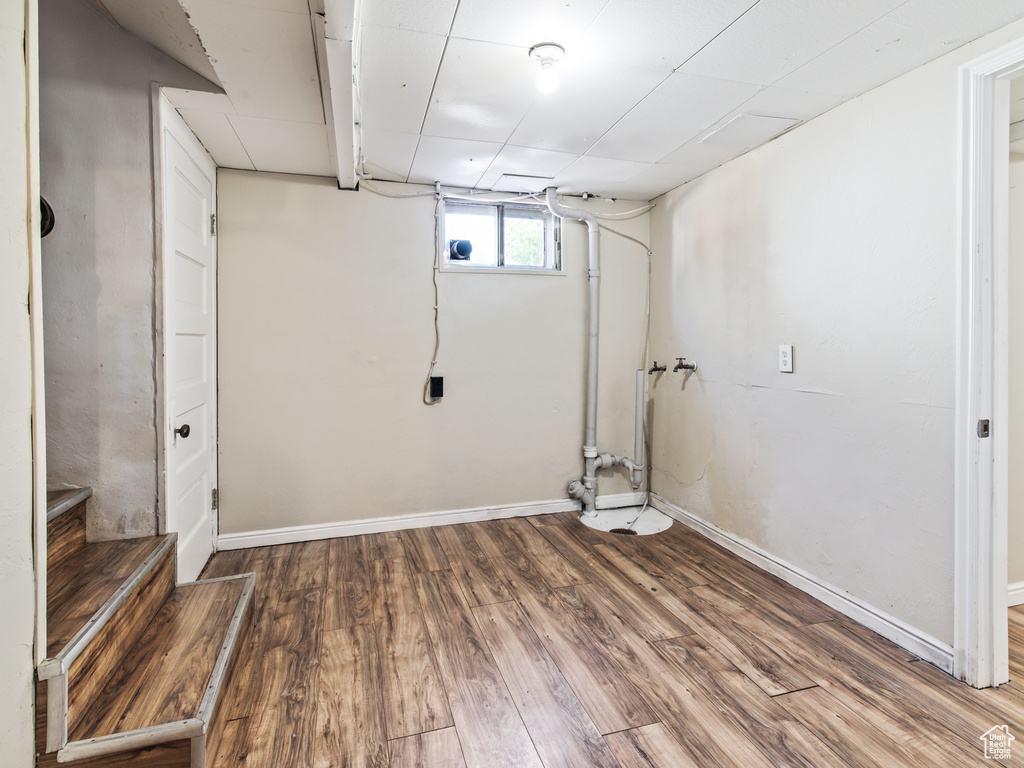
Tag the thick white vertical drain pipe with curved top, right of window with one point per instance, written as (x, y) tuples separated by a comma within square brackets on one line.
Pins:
[(594, 276)]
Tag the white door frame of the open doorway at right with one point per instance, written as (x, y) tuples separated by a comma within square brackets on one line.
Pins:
[(980, 631)]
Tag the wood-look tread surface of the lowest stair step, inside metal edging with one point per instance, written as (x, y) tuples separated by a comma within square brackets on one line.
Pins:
[(164, 677)]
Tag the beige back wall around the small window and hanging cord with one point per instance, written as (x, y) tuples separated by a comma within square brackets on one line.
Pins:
[(326, 335)]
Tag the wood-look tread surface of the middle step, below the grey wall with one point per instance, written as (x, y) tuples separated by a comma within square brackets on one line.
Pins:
[(84, 581)]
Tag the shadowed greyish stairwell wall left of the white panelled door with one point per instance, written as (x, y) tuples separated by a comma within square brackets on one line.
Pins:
[(99, 263)]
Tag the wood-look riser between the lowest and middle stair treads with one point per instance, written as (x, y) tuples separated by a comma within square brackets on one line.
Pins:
[(91, 672)]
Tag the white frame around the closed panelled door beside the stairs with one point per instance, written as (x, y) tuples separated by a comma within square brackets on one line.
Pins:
[(166, 116)]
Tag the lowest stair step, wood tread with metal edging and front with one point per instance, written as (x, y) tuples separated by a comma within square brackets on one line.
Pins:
[(168, 687)]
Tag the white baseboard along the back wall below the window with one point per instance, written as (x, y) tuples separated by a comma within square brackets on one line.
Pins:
[(296, 534)]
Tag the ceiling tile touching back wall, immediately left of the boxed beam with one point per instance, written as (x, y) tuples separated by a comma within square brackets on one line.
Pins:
[(285, 147)]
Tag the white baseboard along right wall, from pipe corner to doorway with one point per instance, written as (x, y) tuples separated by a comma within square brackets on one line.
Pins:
[(903, 634)]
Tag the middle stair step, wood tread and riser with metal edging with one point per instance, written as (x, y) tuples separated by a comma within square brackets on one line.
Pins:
[(101, 599)]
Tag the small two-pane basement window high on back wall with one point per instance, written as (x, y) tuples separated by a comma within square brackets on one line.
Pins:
[(500, 237)]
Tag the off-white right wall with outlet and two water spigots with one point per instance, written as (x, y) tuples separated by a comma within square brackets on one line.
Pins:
[(838, 238)]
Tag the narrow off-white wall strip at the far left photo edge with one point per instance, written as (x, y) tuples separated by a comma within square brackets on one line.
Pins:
[(17, 577)]
